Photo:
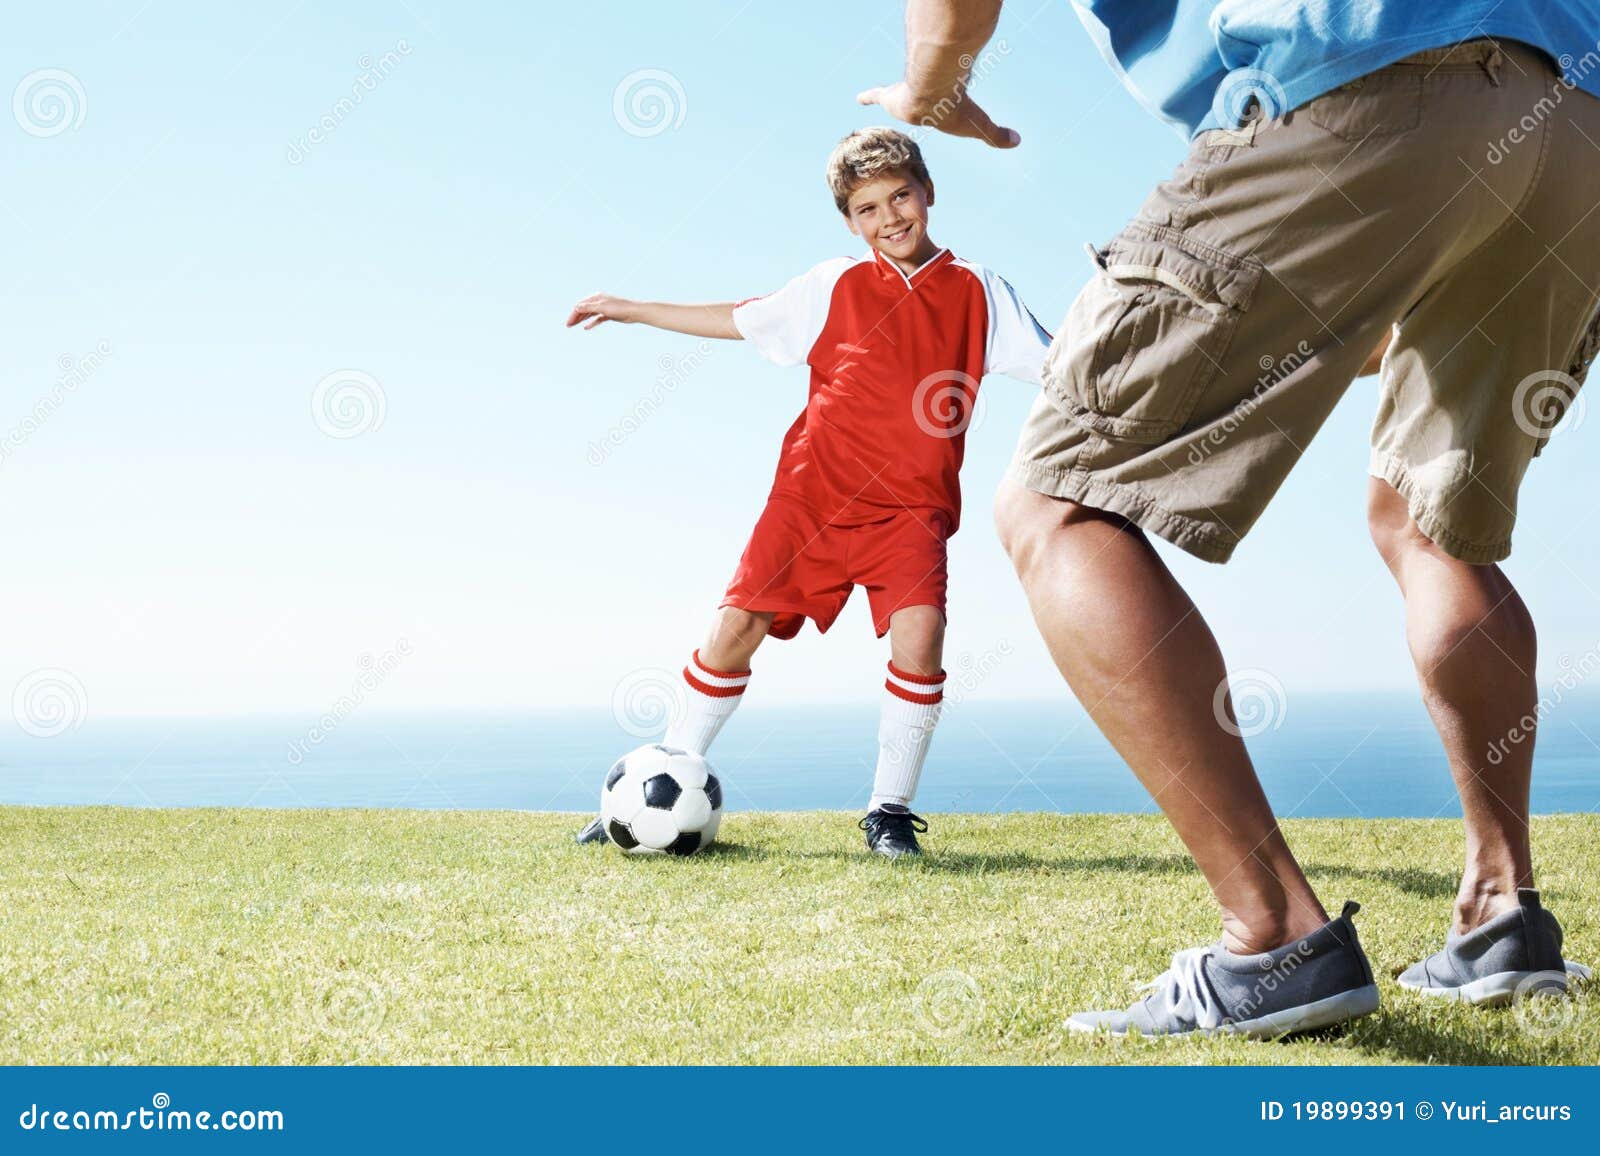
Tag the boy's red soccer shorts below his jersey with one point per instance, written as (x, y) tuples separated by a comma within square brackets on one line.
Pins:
[(799, 568)]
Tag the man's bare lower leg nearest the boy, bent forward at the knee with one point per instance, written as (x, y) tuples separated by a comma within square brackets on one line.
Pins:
[(1146, 667)]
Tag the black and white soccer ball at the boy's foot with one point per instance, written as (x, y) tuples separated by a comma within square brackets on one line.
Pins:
[(662, 800)]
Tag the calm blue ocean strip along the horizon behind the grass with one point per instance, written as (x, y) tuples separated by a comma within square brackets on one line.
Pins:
[(1326, 757)]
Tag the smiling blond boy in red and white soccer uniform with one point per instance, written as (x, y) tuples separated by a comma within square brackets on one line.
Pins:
[(866, 491)]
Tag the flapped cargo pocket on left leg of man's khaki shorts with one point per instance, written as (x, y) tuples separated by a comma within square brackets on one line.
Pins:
[(1146, 335)]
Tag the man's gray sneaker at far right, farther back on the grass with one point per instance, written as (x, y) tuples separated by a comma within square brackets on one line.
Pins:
[(1513, 955)]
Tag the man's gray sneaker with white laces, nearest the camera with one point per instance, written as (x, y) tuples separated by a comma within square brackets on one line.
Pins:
[(1314, 982)]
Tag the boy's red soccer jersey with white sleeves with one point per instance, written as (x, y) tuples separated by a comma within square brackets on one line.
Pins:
[(895, 369)]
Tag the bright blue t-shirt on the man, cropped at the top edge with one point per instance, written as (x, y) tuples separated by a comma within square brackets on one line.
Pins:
[(1198, 63)]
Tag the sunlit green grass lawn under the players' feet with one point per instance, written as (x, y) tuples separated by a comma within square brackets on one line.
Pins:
[(489, 937)]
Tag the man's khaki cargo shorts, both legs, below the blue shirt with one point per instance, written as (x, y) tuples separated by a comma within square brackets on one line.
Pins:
[(1454, 196)]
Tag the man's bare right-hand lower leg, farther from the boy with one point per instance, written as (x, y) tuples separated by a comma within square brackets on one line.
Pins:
[(1474, 648)]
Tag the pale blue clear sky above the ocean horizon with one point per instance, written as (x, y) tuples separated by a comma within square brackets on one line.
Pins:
[(185, 537)]
